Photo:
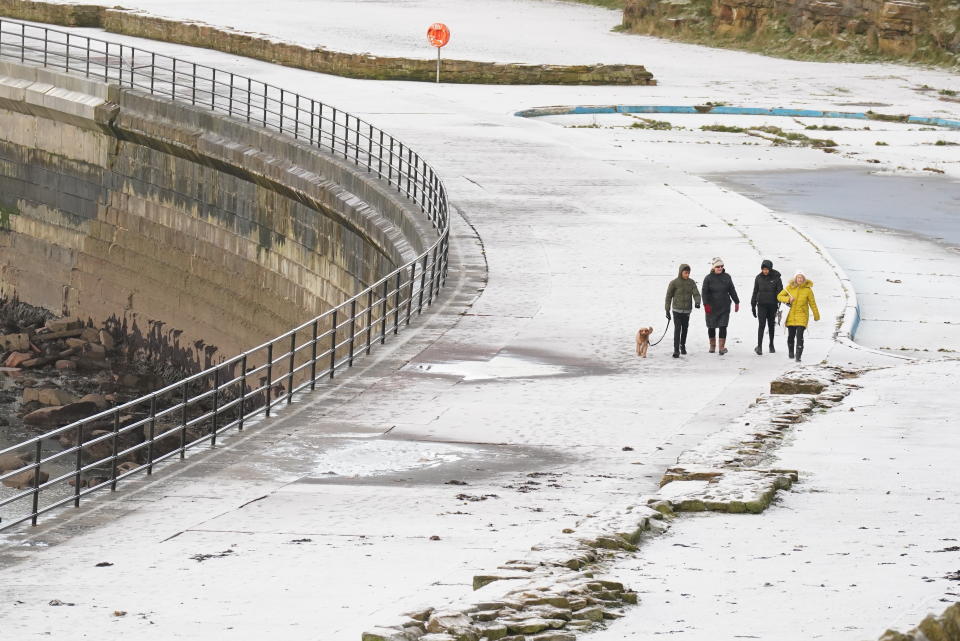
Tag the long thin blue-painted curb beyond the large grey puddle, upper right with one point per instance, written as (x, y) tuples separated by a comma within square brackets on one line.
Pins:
[(734, 111)]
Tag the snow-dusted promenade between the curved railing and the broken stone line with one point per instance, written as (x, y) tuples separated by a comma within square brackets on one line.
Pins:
[(522, 384)]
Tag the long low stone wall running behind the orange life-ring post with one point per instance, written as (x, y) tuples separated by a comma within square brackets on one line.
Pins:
[(351, 65)]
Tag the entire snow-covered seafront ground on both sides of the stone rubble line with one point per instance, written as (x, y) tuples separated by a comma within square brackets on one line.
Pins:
[(522, 385)]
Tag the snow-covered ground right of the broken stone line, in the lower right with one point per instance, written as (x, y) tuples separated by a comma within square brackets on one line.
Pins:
[(863, 543)]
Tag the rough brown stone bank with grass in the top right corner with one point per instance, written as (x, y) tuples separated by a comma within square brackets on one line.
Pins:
[(925, 31)]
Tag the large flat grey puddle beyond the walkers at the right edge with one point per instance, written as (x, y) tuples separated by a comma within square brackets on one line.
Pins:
[(924, 205)]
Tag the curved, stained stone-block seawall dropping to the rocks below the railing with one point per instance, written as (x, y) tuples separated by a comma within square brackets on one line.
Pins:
[(198, 234)]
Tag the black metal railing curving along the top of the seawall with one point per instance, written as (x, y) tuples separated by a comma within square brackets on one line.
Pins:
[(166, 423)]
